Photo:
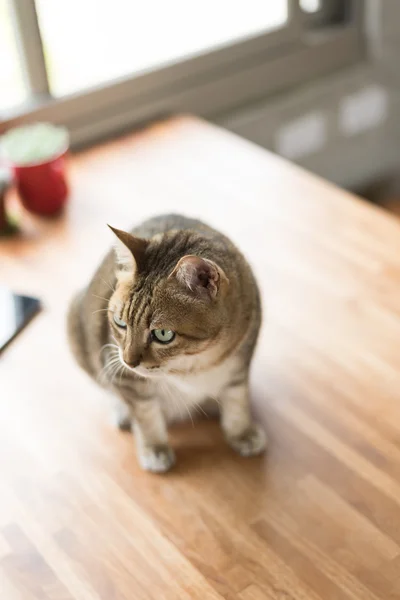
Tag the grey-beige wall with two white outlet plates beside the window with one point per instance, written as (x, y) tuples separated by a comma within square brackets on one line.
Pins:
[(344, 127)]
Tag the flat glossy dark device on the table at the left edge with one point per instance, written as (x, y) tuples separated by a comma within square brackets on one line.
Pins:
[(15, 313)]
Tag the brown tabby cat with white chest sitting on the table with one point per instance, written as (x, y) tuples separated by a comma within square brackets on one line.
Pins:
[(169, 321)]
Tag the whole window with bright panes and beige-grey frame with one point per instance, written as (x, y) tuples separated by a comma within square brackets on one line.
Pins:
[(99, 66)]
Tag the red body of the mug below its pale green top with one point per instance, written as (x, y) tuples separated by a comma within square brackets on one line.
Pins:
[(43, 187)]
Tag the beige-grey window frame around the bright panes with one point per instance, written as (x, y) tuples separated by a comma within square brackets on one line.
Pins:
[(209, 84)]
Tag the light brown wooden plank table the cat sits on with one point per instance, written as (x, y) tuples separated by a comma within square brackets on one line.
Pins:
[(316, 519)]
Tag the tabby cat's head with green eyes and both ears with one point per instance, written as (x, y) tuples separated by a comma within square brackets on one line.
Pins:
[(168, 313)]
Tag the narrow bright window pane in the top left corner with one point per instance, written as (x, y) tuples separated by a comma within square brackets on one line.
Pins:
[(12, 88)]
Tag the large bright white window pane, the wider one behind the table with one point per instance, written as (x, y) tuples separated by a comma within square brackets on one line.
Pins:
[(93, 41)]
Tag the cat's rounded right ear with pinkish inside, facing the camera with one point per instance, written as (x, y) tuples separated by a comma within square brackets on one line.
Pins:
[(200, 275)]
